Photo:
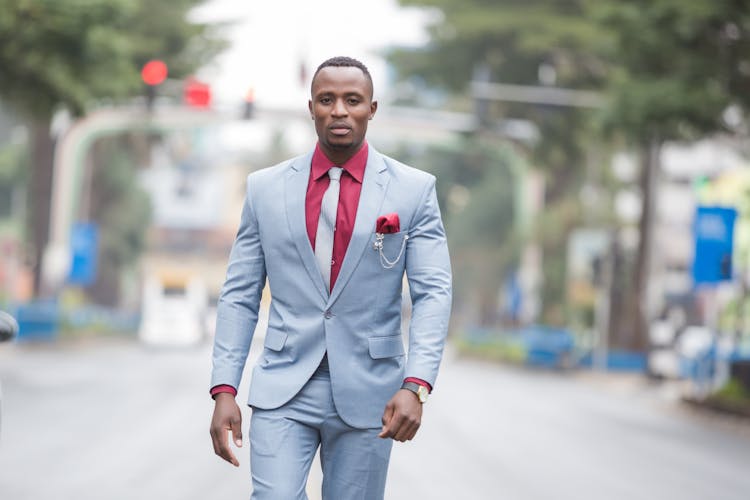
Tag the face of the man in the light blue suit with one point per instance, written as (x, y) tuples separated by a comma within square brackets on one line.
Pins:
[(341, 106)]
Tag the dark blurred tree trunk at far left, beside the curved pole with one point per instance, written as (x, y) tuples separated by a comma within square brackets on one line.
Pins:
[(42, 154)]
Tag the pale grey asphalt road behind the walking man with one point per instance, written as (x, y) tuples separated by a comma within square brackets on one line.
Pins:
[(110, 419)]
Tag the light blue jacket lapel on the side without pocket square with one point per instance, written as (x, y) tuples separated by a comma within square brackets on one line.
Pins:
[(295, 191)]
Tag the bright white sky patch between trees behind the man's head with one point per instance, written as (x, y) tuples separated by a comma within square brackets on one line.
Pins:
[(271, 37)]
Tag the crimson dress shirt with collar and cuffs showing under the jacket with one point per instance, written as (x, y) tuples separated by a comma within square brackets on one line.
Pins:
[(351, 187)]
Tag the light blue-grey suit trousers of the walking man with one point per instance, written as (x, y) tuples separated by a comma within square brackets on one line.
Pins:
[(283, 442)]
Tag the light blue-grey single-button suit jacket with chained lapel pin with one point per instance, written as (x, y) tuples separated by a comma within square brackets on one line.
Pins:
[(359, 323)]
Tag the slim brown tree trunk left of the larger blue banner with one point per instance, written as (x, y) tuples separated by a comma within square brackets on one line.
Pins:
[(649, 173)]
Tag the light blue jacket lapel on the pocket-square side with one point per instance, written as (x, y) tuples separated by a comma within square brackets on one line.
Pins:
[(371, 198)]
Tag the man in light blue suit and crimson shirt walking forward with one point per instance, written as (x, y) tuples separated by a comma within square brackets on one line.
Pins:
[(334, 231)]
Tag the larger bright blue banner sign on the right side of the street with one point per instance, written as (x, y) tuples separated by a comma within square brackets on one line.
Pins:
[(714, 239)]
